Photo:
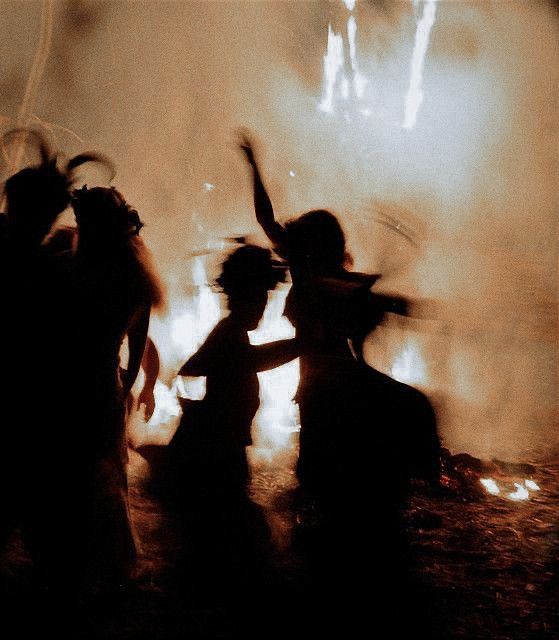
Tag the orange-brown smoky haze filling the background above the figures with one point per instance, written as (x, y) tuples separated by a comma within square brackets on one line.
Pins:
[(161, 86)]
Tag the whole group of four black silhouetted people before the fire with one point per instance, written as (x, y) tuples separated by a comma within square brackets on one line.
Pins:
[(72, 297)]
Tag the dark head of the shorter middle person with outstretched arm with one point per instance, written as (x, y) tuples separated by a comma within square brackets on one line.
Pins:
[(246, 277)]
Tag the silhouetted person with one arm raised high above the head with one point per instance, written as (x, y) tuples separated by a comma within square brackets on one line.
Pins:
[(364, 437)]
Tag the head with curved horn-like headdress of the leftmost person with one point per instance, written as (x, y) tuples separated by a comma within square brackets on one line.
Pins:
[(38, 194)]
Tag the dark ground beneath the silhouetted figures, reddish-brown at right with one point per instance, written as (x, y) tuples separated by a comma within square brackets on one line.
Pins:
[(486, 568)]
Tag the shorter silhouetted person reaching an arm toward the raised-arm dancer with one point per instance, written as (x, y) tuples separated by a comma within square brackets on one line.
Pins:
[(208, 452)]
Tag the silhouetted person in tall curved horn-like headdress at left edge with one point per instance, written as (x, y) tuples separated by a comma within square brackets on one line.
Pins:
[(34, 295)]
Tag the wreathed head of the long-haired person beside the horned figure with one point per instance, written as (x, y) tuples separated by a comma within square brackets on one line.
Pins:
[(104, 217)]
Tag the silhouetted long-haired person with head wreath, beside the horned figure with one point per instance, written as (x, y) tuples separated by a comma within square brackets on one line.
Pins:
[(115, 288)]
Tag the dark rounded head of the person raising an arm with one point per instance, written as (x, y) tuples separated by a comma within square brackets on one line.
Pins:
[(317, 240)]
